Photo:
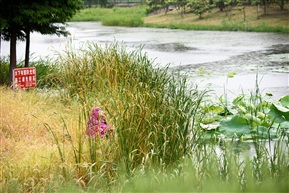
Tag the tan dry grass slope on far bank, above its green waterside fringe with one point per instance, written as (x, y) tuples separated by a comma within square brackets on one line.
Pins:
[(274, 17)]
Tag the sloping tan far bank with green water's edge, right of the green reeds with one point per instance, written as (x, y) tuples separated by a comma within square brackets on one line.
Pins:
[(234, 19)]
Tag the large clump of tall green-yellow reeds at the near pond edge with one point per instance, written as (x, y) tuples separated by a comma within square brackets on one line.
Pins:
[(152, 113)]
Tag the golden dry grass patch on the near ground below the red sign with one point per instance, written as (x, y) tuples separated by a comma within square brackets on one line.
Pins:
[(23, 136)]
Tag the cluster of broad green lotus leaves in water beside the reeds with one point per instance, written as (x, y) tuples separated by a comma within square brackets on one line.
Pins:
[(247, 117)]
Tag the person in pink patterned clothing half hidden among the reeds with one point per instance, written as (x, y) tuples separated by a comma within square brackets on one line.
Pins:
[(97, 124)]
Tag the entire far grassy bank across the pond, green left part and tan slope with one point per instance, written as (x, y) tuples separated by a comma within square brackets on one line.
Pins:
[(233, 19)]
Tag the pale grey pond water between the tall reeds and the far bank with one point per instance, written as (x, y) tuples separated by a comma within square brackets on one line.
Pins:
[(206, 57)]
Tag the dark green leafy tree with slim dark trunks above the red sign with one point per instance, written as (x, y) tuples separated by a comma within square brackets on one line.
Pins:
[(21, 17)]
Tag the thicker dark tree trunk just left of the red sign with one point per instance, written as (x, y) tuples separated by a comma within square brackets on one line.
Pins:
[(12, 57)]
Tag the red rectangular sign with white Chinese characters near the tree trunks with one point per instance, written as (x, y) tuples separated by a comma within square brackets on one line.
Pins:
[(24, 77)]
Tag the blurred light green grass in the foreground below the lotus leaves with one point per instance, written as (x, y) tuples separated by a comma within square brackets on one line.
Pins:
[(209, 170)]
